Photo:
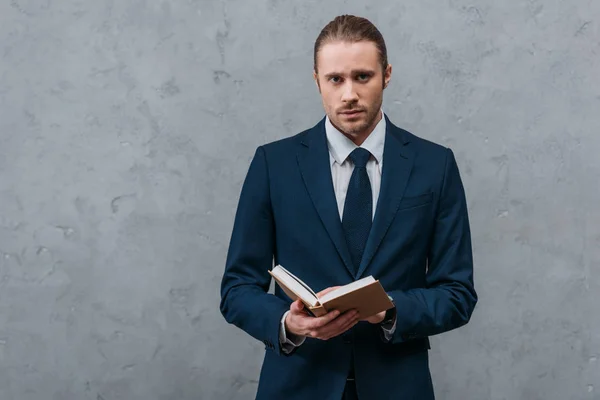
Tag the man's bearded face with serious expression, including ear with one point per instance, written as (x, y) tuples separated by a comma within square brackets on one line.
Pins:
[(351, 82)]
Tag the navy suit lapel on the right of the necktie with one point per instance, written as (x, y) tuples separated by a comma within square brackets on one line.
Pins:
[(398, 160)]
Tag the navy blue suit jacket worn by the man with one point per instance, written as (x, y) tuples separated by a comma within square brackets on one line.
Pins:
[(419, 248)]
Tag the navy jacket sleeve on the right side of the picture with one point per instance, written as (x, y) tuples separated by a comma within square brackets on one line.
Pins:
[(449, 298)]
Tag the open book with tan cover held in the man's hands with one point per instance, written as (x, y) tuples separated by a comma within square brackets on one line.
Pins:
[(365, 295)]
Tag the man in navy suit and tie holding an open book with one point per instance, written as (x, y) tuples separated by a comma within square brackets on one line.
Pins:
[(351, 197)]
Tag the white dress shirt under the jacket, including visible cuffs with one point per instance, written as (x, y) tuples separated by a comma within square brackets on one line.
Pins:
[(342, 167)]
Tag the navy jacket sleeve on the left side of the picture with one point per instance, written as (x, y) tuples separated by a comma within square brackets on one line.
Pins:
[(245, 302)]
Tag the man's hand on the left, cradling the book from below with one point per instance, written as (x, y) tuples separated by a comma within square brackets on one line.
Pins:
[(332, 324)]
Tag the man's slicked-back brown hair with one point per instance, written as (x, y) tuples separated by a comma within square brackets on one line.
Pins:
[(349, 28)]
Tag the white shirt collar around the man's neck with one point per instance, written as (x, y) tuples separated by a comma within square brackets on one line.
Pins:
[(340, 146)]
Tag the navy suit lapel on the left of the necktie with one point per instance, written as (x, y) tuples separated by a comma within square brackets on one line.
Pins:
[(313, 161)]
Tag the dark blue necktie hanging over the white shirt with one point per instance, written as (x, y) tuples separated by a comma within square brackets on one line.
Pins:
[(358, 207)]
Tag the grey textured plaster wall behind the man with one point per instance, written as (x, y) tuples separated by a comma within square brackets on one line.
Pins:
[(127, 127)]
